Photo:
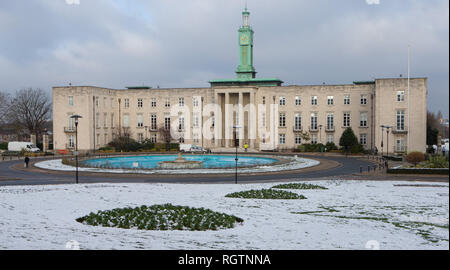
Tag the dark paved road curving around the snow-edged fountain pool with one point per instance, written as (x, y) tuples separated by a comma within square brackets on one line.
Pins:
[(11, 176)]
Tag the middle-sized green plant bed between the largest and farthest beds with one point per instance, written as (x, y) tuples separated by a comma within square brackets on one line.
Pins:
[(266, 194)]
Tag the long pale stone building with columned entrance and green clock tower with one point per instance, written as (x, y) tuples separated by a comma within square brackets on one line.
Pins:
[(257, 111)]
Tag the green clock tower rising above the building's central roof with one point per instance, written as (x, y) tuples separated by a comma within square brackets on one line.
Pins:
[(245, 69)]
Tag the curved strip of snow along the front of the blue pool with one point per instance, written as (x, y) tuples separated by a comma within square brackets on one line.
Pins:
[(295, 163)]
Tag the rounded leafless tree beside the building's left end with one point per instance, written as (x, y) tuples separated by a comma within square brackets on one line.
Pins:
[(30, 109)]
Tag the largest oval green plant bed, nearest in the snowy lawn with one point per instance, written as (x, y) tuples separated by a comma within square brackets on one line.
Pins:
[(161, 217)]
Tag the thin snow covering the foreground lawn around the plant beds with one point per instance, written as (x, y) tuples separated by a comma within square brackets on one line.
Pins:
[(348, 215)]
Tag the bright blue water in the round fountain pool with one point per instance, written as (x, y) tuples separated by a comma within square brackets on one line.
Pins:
[(151, 162)]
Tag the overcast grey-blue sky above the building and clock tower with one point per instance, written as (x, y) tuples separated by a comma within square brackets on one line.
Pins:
[(186, 43)]
